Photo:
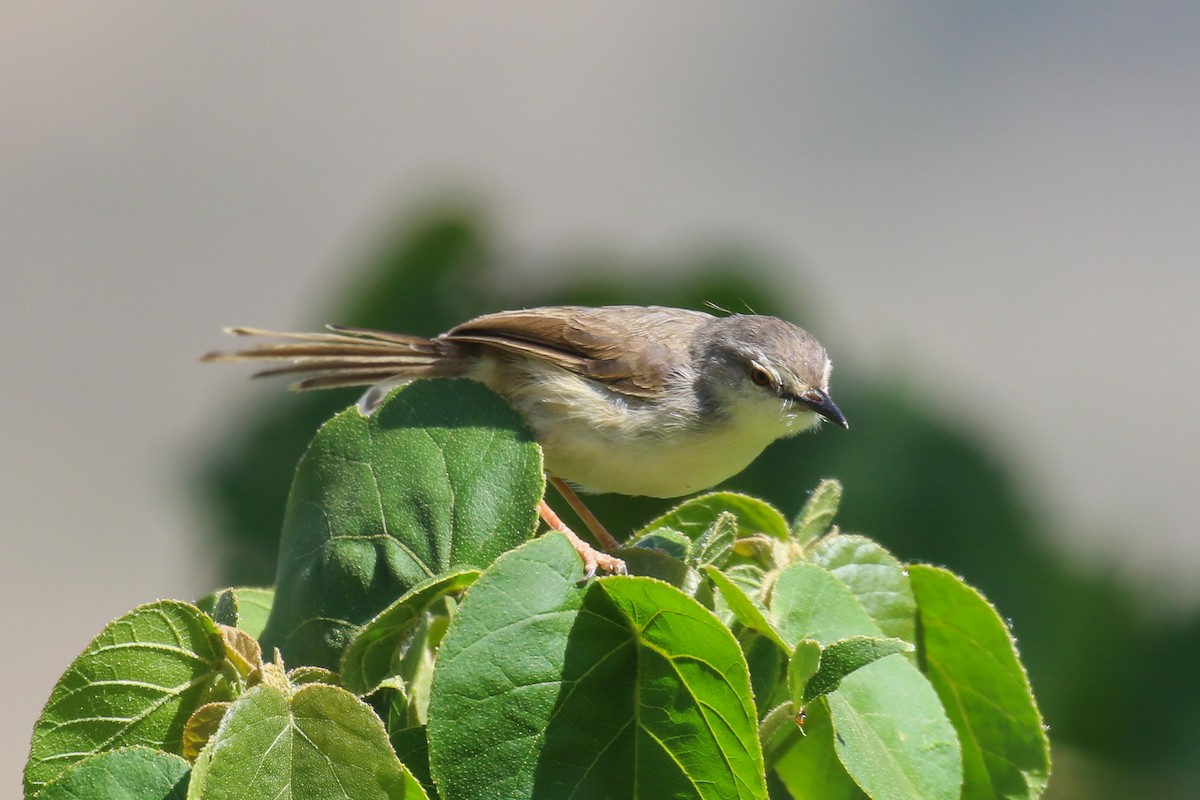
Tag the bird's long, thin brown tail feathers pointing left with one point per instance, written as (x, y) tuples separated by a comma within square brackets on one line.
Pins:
[(349, 357)]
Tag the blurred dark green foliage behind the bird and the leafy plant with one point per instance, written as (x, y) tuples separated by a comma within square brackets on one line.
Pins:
[(1117, 687)]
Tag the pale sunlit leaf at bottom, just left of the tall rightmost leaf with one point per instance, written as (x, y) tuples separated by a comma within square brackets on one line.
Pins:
[(892, 735)]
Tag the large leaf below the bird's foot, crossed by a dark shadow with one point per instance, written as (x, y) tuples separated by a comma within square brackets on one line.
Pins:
[(617, 689)]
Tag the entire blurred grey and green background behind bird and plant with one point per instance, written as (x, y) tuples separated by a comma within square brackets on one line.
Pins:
[(986, 212)]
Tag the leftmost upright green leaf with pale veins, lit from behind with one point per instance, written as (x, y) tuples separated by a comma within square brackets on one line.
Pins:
[(136, 684)]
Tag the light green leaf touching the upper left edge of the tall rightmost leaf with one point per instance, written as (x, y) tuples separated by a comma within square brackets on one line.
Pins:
[(877, 579)]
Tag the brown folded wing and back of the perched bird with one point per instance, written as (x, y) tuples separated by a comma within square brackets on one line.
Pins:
[(632, 350)]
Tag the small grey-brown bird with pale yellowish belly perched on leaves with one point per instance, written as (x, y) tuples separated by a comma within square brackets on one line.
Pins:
[(632, 400)]
